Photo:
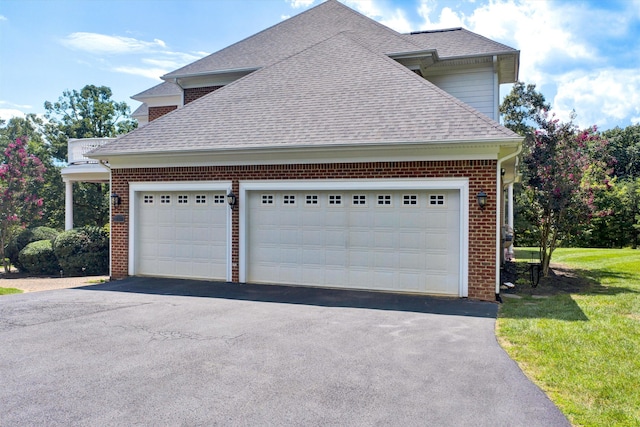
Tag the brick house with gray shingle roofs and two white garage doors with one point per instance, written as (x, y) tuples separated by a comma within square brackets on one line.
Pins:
[(328, 151)]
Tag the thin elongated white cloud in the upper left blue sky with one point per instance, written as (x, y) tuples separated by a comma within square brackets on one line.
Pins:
[(103, 44)]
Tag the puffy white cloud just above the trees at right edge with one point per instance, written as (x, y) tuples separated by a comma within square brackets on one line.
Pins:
[(603, 97)]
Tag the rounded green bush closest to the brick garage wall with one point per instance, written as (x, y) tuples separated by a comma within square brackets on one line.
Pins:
[(83, 251)]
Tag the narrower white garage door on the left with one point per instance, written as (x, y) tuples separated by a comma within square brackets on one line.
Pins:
[(181, 234)]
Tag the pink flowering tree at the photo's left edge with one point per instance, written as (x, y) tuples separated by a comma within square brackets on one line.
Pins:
[(20, 174)]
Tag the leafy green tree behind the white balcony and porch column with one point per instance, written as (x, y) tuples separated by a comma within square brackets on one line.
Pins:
[(88, 113)]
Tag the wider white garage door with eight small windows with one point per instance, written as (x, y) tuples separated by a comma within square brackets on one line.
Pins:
[(407, 241)]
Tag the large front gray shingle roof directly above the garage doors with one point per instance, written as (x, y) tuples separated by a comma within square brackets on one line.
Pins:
[(318, 97)]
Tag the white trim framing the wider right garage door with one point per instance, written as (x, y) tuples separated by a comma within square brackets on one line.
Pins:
[(459, 184)]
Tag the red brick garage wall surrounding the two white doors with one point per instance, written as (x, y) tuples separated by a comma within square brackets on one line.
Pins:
[(482, 223)]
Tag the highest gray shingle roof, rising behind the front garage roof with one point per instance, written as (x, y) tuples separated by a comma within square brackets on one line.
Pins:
[(295, 34)]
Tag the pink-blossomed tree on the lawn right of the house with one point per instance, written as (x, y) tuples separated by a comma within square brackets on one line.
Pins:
[(563, 170)]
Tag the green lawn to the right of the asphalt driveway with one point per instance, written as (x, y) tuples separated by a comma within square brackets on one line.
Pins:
[(583, 346)]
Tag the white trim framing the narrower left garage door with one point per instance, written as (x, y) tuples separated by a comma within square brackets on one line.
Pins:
[(172, 186)]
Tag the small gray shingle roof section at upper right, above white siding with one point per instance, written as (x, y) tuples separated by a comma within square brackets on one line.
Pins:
[(457, 42)]
